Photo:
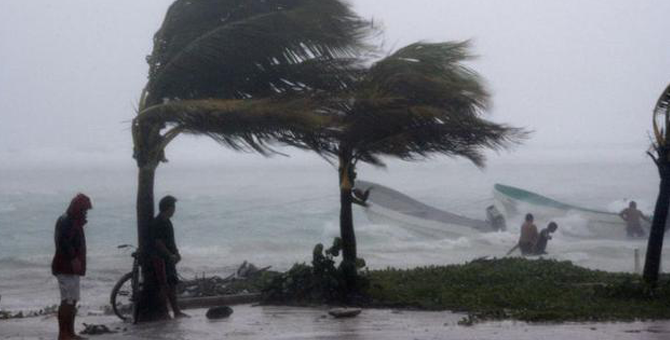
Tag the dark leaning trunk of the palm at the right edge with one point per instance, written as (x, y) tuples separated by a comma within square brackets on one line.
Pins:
[(652, 261)]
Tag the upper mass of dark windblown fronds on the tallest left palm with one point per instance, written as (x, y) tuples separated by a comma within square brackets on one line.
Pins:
[(254, 48)]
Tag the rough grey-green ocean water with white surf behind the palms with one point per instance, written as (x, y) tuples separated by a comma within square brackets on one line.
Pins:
[(273, 212)]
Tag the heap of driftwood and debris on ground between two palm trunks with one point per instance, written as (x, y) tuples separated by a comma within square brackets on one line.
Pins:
[(216, 285)]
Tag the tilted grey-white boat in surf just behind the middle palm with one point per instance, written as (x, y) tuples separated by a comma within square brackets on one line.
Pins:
[(386, 205)]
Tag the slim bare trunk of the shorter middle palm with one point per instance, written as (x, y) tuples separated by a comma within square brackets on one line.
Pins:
[(347, 234)]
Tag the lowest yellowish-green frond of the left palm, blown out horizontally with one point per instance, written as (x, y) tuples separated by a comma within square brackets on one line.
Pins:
[(243, 124)]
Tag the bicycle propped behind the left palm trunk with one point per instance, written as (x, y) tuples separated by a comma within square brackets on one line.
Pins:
[(126, 291)]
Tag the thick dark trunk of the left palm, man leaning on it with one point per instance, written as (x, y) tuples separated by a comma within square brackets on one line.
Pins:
[(151, 306)]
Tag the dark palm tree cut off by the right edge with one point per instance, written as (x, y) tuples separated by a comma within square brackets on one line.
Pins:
[(661, 158)]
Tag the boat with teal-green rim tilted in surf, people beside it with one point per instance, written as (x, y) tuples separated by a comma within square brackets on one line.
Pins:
[(594, 223)]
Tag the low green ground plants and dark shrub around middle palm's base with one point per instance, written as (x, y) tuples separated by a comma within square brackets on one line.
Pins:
[(510, 288)]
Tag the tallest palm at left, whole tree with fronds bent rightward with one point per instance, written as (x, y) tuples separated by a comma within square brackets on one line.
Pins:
[(247, 73)]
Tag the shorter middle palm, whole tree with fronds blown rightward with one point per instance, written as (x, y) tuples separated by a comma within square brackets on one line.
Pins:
[(415, 103)]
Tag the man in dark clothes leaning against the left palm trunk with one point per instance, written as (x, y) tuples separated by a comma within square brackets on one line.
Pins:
[(164, 254)]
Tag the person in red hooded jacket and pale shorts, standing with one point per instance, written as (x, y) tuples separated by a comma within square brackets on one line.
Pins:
[(69, 262)]
